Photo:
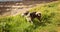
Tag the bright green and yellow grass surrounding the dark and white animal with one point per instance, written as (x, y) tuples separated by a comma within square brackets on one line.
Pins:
[(49, 22)]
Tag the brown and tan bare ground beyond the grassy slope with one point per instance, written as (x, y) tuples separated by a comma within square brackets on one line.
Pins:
[(14, 8)]
